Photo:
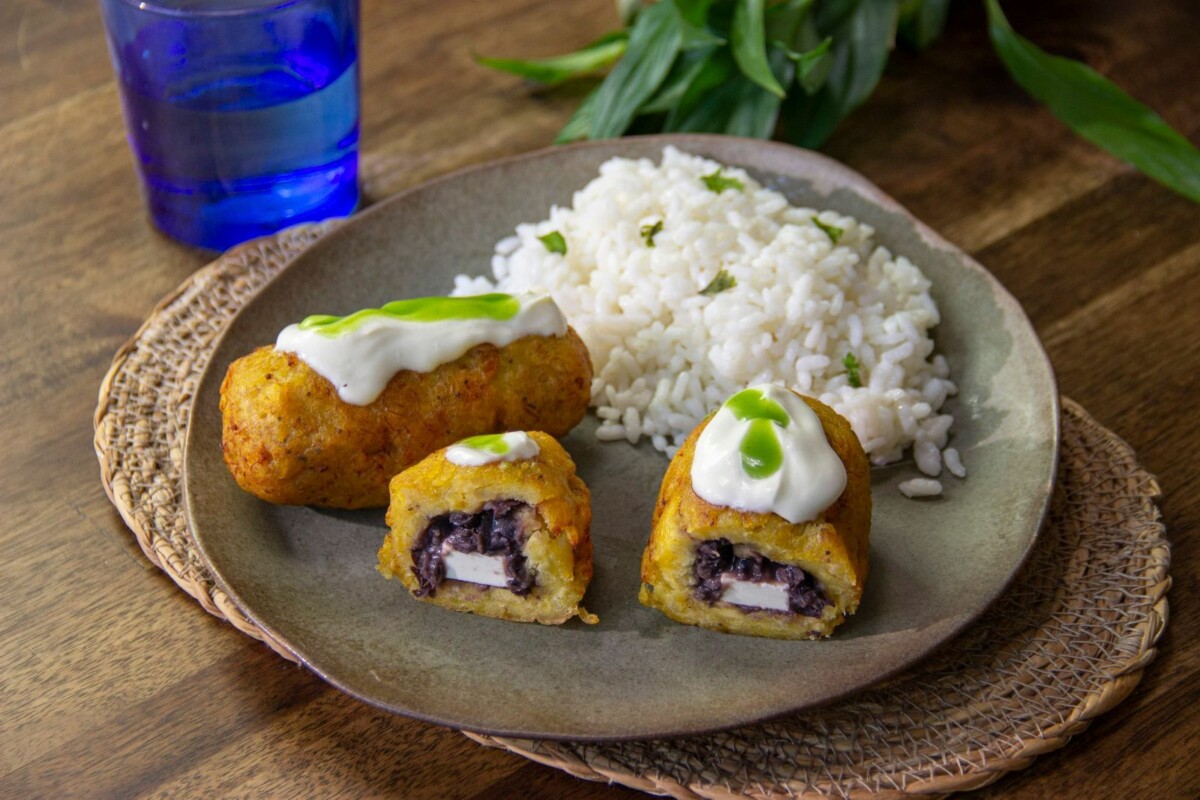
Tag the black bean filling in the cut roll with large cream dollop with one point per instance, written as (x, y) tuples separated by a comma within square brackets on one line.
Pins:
[(716, 558)]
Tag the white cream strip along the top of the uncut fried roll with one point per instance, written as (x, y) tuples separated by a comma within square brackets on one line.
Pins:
[(362, 362)]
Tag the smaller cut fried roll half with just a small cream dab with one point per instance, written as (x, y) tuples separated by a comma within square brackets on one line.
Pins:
[(495, 526)]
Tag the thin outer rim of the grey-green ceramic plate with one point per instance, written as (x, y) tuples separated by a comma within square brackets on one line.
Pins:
[(850, 179)]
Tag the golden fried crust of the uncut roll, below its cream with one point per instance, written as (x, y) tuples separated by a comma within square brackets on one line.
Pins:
[(289, 438)]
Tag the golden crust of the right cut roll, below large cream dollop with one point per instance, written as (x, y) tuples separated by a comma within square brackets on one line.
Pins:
[(832, 548)]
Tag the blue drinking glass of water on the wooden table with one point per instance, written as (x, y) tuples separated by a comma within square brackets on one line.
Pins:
[(243, 116)]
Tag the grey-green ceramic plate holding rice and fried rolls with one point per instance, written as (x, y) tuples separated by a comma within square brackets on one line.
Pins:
[(309, 576)]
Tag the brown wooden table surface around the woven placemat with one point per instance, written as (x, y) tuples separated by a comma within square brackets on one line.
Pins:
[(116, 683)]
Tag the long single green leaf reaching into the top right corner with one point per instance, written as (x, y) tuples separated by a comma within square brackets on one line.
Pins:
[(1097, 110)]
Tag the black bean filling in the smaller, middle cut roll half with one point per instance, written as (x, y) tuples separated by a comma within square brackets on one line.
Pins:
[(499, 530)]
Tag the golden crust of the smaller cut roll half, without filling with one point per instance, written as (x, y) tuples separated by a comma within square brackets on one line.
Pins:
[(559, 550)]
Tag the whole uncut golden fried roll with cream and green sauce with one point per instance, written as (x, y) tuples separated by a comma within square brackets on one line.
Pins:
[(341, 405)]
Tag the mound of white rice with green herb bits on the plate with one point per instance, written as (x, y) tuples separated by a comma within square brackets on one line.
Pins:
[(665, 356)]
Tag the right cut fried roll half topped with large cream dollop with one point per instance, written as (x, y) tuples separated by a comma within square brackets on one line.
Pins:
[(763, 521)]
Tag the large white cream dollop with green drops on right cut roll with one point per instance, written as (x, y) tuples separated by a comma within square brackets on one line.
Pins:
[(809, 479)]
